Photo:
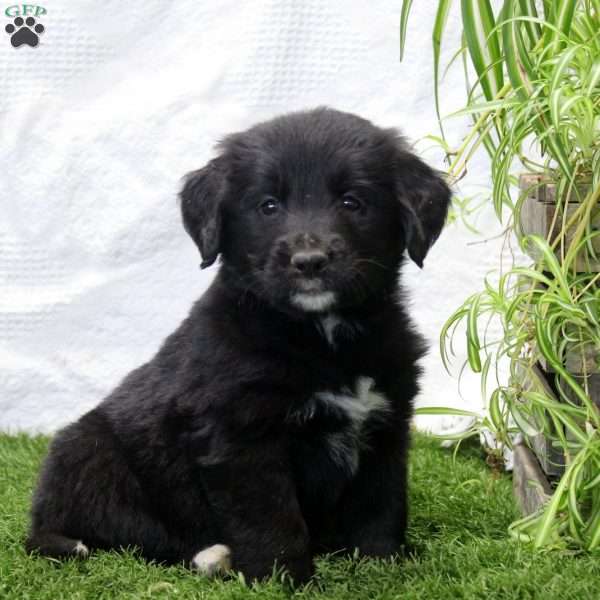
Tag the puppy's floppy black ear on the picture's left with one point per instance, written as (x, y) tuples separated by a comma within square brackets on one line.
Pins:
[(201, 199)]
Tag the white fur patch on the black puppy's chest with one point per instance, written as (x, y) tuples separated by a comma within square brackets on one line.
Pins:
[(344, 446)]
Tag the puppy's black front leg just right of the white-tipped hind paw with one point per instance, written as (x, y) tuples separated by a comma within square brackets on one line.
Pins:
[(253, 497)]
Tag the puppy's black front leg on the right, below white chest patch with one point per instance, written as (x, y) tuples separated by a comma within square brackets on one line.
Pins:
[(373, 510)]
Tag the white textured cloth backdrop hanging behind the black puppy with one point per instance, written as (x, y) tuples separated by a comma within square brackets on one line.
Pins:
[(100, 121)]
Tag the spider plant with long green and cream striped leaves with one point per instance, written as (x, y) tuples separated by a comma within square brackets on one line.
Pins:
[(532, 70)]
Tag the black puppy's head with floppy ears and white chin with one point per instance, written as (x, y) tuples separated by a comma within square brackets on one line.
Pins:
[(312, 211)]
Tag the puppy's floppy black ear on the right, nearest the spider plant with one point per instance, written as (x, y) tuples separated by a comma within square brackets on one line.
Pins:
[(424, 199)]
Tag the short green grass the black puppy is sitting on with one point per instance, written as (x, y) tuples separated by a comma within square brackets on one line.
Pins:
[(460, 513)]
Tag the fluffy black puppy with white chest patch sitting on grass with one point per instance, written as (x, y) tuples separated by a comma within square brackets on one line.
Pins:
[(273, 424)]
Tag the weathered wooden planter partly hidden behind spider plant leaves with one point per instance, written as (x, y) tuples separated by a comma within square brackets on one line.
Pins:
[(538, 462)]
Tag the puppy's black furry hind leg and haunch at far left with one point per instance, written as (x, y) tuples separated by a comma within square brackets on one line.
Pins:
[(88, 498)]
